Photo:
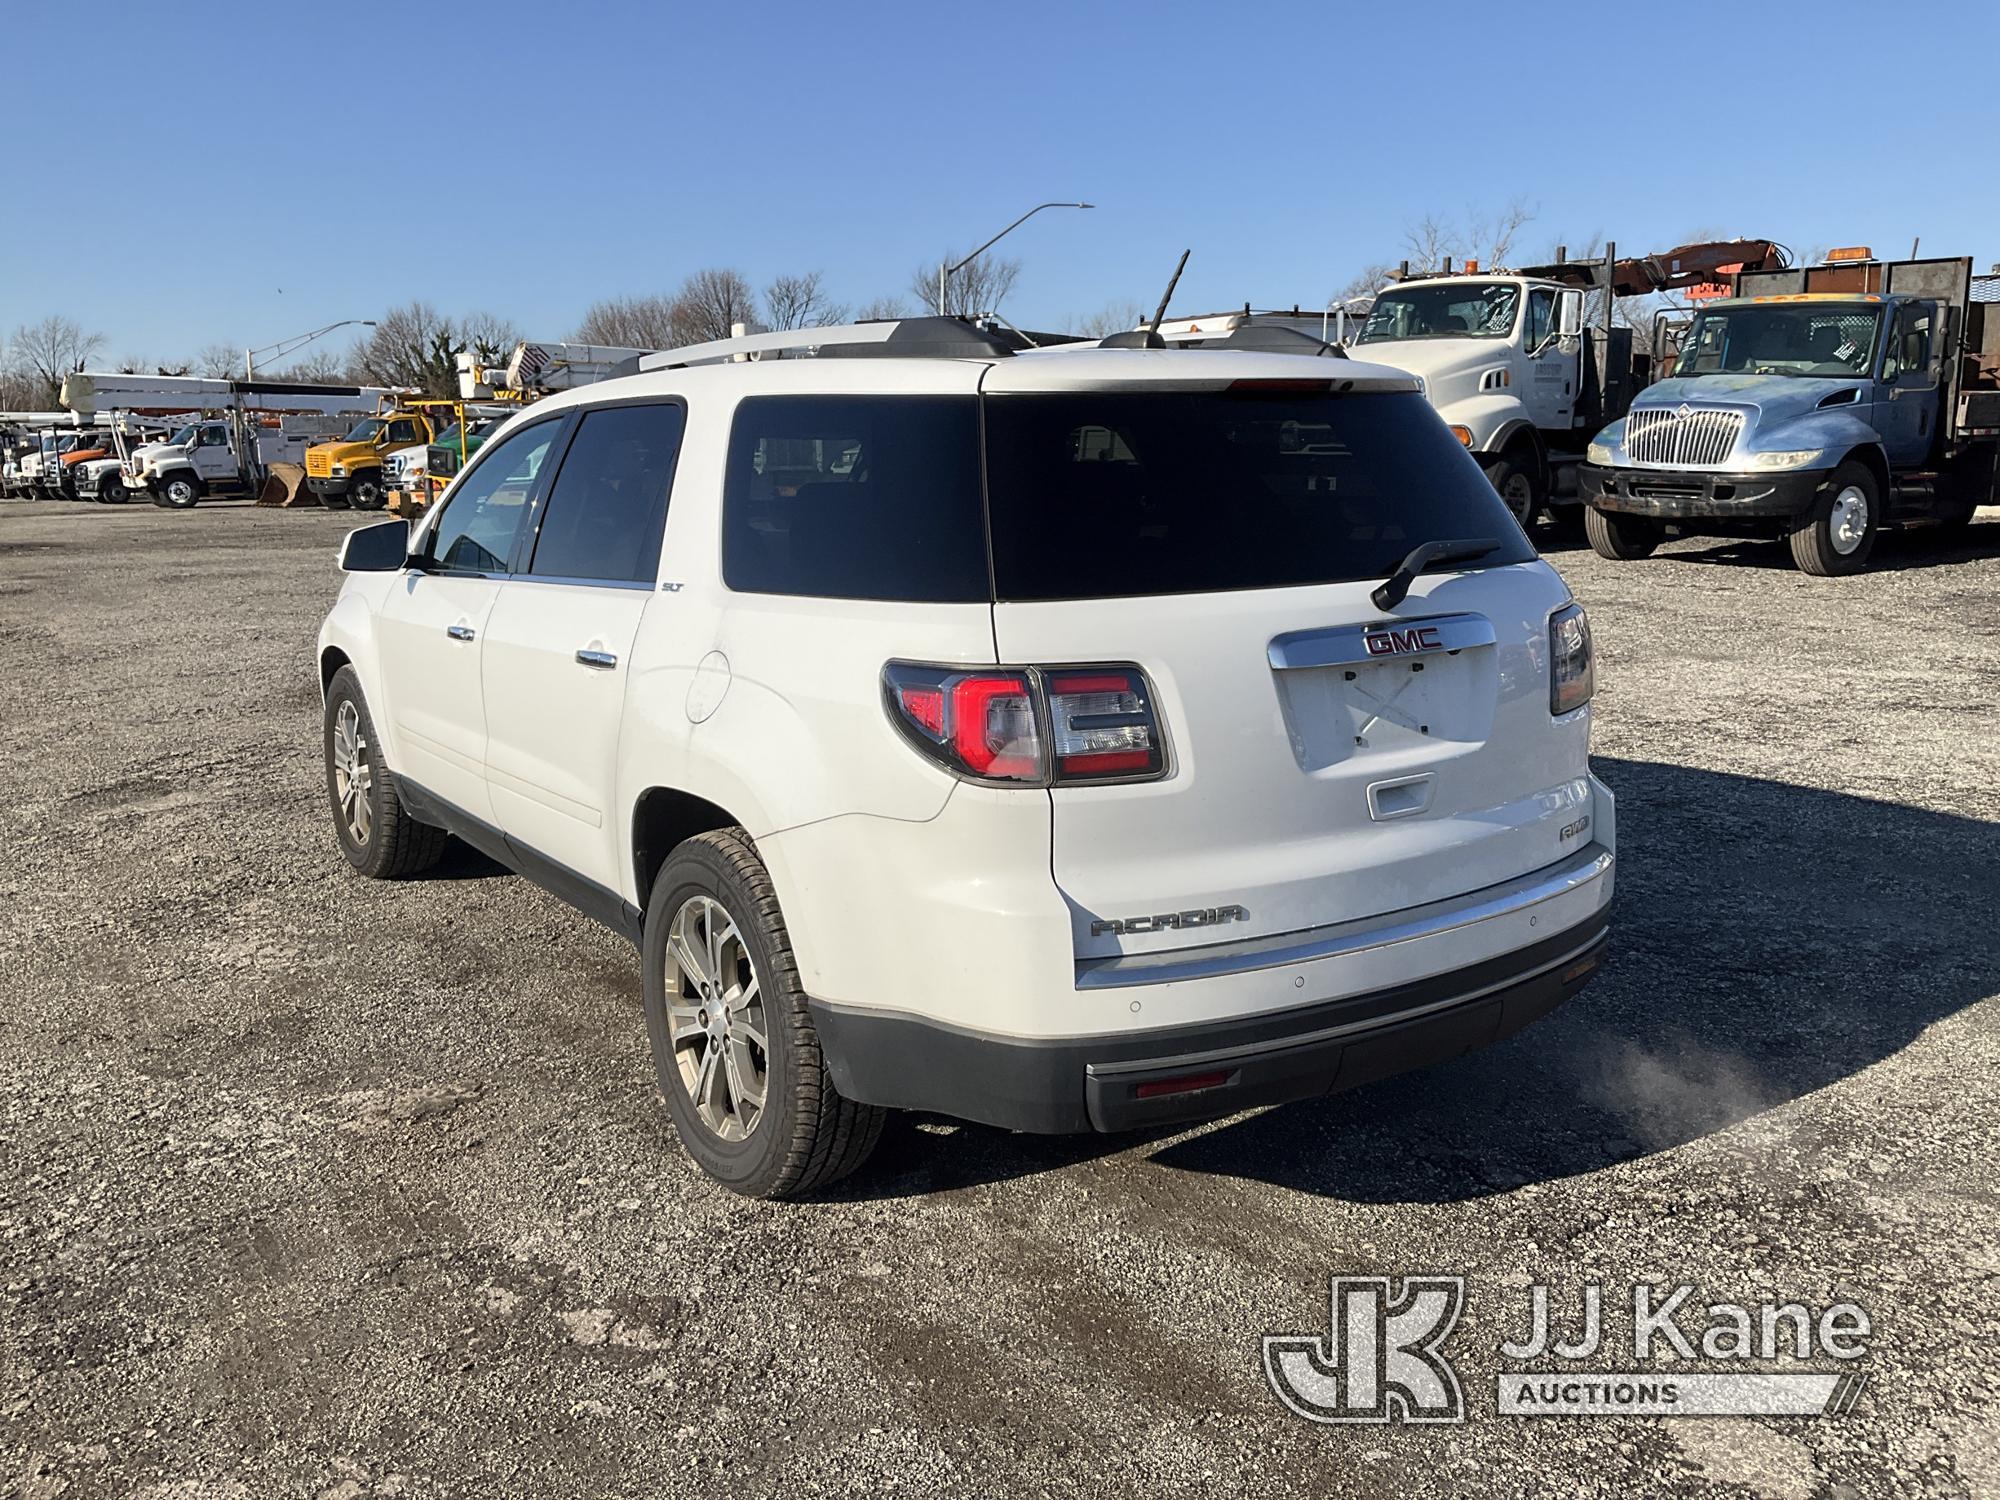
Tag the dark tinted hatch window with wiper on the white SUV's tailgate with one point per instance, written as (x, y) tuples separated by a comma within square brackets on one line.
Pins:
[(1101, 495)]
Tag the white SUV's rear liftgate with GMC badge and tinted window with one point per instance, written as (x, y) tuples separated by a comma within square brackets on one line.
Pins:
[(1329, 761)]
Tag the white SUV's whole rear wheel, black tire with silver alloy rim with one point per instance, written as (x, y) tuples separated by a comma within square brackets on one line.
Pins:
[(803, 1135)]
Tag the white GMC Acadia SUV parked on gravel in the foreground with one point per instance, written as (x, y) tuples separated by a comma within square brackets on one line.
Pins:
[(1063, 741)]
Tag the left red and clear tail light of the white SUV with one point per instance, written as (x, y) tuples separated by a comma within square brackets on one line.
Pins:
[(1035, 725)]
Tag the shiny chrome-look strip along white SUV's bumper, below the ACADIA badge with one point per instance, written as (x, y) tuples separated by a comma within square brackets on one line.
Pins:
[(1343, 939)]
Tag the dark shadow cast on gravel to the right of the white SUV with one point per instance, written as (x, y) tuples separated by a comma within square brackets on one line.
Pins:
[(1769, 941)]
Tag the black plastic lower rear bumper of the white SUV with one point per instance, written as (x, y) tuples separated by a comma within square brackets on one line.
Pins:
[(1099, 1083)]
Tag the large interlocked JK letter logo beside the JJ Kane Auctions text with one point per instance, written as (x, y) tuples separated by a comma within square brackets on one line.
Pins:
[(1381, 1357)]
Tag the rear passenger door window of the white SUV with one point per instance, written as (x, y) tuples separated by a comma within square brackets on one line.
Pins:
[(609, 503)]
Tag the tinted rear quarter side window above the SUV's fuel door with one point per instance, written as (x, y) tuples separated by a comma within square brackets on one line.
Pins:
[(857, 497)]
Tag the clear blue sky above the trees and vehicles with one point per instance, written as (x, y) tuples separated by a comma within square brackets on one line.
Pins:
[(557, 153)]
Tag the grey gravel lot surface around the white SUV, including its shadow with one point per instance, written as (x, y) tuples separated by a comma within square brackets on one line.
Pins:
[(313, 1187)]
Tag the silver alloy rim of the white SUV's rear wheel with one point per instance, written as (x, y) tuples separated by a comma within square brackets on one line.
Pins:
[(715, 1015)]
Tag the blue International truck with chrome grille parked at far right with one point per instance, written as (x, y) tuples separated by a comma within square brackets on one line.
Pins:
[(1815, 403)]
